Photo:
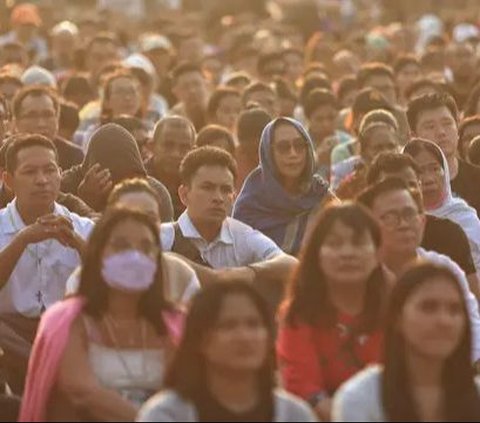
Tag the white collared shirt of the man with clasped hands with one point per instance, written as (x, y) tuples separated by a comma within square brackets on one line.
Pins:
[(41, 273)]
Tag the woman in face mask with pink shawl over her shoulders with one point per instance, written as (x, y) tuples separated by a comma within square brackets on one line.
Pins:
[(101, 354)]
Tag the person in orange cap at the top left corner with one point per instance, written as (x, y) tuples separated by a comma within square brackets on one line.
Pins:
[(25, 21)]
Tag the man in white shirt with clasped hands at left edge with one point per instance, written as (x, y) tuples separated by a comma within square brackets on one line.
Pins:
[(40, 241)]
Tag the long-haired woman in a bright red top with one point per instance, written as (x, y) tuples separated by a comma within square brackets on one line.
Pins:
[(330, 324)]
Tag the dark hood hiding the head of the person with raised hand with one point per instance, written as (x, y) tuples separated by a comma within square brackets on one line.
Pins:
[(114, 148)]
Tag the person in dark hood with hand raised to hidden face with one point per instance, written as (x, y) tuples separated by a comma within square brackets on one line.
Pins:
[(111, 158)]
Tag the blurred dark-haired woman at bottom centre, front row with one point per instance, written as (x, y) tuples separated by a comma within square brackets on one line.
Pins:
[(224, 366)]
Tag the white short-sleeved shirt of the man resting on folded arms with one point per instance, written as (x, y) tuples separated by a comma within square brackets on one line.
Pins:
[(237, 244)]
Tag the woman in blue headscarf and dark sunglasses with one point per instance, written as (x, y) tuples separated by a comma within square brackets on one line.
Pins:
[(279, 197)]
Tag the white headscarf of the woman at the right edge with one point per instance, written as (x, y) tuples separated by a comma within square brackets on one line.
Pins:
[(455, 209)]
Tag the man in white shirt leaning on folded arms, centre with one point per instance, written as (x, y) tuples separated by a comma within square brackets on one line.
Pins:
[(207, 237)]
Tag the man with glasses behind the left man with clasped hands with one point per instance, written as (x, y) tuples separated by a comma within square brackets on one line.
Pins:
[(36, 111)]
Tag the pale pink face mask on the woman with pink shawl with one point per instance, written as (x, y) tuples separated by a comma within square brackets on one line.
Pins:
[(130, 271)]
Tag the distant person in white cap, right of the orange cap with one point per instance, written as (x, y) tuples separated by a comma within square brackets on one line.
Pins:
[(64, 42)]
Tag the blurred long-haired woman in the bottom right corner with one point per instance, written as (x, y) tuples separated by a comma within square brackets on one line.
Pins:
[(427, 373)]
